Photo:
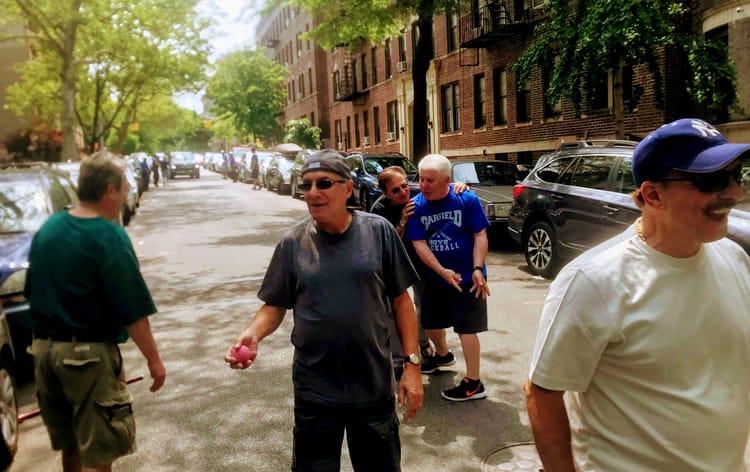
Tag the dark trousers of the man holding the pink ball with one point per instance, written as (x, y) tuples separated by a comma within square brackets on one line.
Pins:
[(371, 434)]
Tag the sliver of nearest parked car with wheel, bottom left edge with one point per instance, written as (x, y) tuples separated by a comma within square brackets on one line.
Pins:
[(8, 398)]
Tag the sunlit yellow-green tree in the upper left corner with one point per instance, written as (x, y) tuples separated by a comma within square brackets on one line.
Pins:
[(83, 45)]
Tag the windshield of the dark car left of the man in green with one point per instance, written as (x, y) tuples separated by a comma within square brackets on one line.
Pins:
[(23, 206)]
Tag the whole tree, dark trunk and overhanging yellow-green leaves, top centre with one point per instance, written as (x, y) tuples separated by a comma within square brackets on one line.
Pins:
[(350, 22)]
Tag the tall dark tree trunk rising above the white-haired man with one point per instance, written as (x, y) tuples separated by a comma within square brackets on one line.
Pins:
[(422, 57)]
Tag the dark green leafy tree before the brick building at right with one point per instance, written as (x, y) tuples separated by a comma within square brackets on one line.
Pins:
[(581, 42)]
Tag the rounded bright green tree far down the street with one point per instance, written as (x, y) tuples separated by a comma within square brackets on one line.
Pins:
[(251, 89)]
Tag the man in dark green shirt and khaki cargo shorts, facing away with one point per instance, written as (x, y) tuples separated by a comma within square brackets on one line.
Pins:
[(87, 295)]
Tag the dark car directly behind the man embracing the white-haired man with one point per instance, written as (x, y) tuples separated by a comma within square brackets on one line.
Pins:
[(366, 168)]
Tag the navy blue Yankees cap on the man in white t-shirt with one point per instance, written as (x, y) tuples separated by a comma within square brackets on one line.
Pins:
[(689, 145)]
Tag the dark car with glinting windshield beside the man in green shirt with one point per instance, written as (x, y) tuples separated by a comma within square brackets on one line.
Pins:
[(29, 194)]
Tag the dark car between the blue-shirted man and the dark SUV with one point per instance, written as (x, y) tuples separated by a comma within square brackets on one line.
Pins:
[(493, 182)]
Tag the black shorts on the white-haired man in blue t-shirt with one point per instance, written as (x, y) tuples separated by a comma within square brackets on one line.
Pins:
[(445, 307)]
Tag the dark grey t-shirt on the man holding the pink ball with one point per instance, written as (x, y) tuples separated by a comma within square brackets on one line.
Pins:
[(340, 287)]
